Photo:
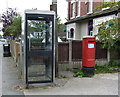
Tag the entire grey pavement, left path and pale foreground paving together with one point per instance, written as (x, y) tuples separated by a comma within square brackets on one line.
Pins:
[(100, 84)]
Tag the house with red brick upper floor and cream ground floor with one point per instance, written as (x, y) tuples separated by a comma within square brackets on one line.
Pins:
[(83, 20)]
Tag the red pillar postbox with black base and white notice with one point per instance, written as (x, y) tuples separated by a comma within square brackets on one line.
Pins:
[(88, 54)]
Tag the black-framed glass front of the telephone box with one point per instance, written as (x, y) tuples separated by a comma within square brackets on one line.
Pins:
[(40, 48)]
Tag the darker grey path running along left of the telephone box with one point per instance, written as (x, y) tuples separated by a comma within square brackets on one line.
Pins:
[(9, 75)]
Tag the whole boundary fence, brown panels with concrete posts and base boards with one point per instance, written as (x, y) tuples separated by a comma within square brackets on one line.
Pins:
[(69, 54)]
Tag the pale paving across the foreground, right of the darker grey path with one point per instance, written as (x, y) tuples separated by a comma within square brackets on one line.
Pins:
[(103, 84)]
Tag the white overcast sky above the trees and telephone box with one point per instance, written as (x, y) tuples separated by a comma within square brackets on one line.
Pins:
[(21, 5)]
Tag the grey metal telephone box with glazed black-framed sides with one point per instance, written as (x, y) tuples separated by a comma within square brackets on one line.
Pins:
[(38, 46)]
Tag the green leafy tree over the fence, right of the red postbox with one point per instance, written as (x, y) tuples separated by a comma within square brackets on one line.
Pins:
[(109, 35)]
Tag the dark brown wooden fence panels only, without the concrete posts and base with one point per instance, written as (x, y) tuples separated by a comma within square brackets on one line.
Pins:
[(63, 51)]
